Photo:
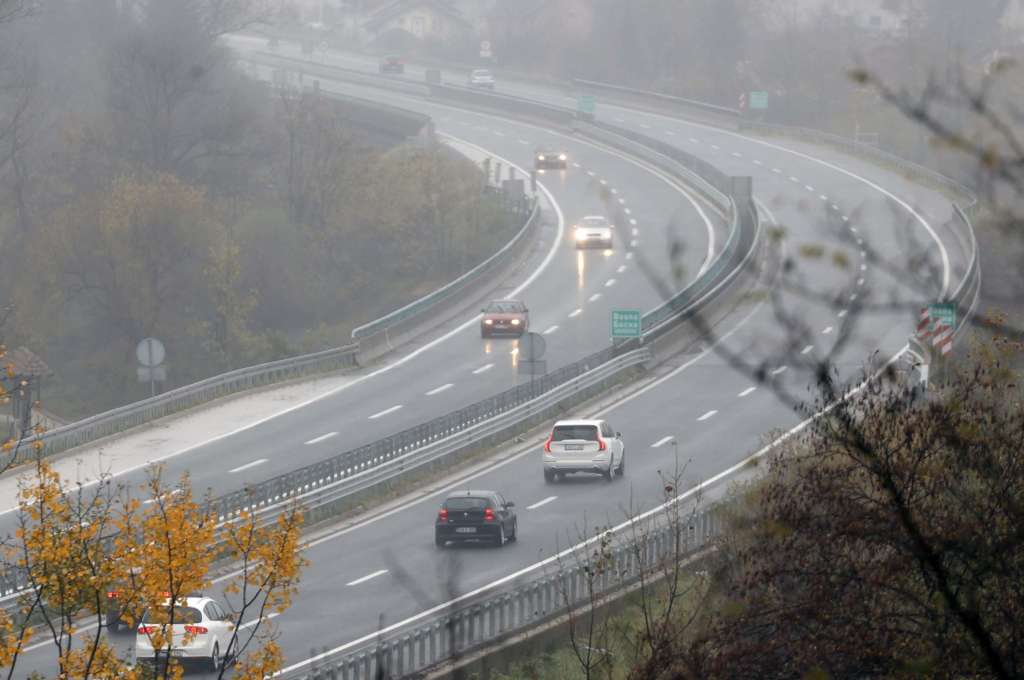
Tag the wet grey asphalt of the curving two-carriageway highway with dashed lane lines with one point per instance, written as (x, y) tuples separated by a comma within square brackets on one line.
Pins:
[(388, 569)]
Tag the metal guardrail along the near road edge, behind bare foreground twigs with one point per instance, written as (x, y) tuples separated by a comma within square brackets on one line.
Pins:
[(477, 622)]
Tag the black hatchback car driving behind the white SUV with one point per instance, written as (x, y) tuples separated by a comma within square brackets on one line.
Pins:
[(476, 517)]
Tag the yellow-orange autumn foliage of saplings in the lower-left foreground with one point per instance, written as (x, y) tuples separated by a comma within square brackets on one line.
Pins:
[(80, 549)]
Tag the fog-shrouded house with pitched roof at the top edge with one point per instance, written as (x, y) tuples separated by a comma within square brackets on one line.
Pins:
[(424, 20)]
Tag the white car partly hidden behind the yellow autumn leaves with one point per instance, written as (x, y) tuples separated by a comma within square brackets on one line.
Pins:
[(203, 631)]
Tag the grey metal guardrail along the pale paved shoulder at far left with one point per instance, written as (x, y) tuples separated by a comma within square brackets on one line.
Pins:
[(123, 418)]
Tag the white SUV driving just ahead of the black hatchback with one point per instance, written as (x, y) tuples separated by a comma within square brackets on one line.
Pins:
[(584, 446)]
